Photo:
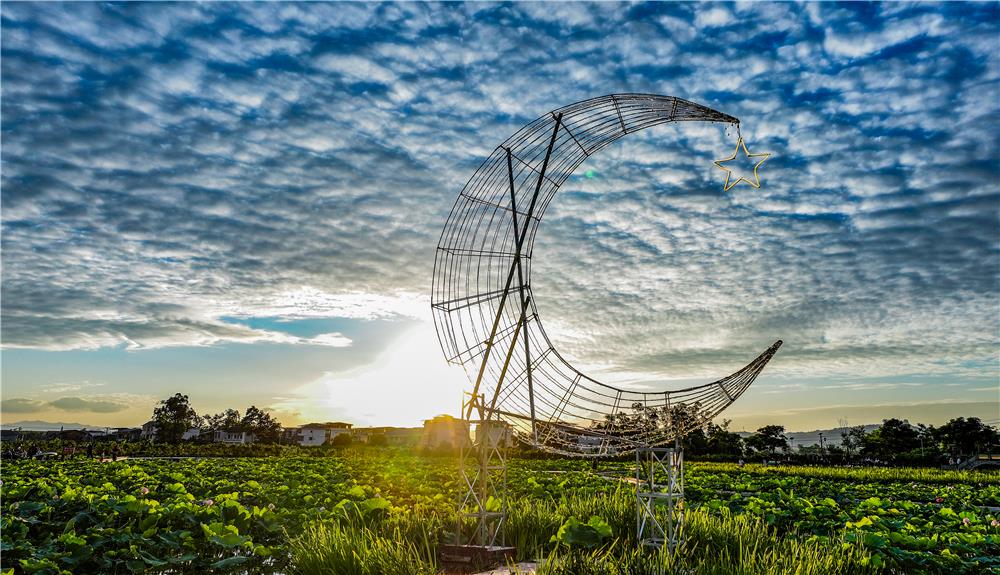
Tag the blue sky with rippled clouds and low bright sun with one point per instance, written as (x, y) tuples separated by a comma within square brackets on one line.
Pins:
[(241, 202)]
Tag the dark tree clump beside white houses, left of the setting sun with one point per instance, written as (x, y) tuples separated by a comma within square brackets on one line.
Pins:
[(174, 416)]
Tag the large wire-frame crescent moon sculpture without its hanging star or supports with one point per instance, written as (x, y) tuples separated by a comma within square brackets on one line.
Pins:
[(484, 309)]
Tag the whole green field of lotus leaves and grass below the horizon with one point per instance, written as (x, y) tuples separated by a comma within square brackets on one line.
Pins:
[(384, 511)]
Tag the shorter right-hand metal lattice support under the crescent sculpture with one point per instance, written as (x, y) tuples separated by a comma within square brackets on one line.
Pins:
[(659, 496)]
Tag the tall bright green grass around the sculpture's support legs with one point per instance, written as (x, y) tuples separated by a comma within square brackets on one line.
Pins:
[(715, 544)]
